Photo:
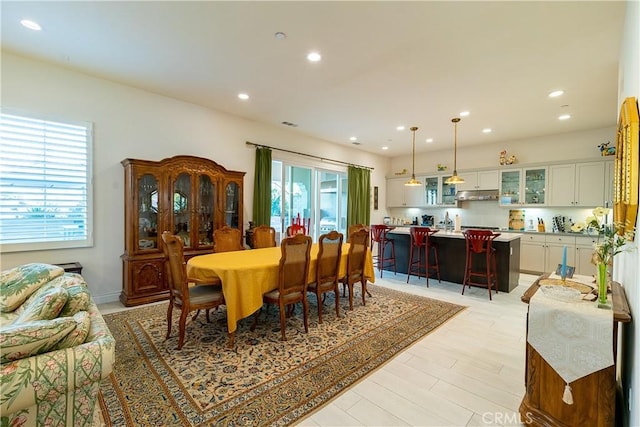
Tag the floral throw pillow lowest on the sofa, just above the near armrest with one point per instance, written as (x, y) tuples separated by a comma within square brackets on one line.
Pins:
[(21, 340)]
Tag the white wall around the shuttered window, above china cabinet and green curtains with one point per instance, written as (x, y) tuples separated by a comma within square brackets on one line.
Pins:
[(132, 123)]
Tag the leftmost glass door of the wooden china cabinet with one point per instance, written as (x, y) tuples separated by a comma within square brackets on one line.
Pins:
[(147, 212)]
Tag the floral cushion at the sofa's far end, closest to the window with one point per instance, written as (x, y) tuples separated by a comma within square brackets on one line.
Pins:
[(18, 283)]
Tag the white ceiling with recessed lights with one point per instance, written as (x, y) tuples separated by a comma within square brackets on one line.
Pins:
[(384, 63)]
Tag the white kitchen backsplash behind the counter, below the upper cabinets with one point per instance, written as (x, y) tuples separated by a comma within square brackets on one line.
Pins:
[(483, 213)]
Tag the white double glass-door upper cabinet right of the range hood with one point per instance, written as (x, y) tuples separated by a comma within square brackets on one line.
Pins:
[(525, 186)]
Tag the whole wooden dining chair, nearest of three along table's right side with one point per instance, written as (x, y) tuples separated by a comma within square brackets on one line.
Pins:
[(292, 280)]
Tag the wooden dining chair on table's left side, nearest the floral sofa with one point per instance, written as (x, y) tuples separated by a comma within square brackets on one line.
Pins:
[(181, 295)]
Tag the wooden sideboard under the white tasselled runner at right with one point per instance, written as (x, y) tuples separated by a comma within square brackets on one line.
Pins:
[(594, 396)]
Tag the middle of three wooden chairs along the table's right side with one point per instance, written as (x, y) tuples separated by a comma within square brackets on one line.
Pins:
[(327, 270)]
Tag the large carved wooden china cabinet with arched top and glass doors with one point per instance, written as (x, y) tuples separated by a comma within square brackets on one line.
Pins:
[(189, 196)]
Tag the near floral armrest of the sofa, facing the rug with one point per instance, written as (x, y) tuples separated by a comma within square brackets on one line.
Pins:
[(43, 378)]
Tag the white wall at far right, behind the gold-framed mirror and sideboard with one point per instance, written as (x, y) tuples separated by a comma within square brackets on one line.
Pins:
[(625, 269)]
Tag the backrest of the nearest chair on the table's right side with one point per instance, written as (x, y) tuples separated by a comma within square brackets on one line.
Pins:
[(294, 264)]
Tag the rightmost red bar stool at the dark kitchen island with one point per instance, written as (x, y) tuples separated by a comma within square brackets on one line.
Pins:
[(480, 243)]
